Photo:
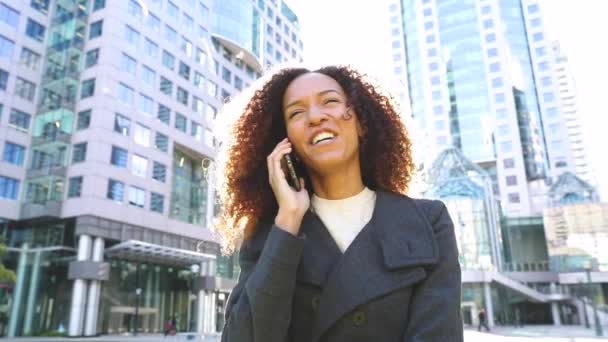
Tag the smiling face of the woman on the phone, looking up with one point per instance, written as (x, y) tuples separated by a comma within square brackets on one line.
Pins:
[(323, 134)]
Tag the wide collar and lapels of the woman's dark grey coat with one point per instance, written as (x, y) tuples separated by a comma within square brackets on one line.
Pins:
[(380, 260)]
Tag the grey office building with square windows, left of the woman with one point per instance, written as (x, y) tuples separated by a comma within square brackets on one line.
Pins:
[(106, 134)]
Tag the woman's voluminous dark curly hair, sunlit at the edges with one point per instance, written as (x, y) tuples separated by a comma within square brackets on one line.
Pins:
[(244, 191)]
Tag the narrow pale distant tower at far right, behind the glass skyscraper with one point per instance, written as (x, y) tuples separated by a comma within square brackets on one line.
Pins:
[(570, 109)]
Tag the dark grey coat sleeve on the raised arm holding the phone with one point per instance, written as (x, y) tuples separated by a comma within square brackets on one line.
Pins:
[(260, 305)]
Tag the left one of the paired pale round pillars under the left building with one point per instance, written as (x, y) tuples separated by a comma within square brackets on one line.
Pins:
[(79, 290)]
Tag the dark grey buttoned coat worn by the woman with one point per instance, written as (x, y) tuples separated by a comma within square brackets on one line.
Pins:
[(398, 281)]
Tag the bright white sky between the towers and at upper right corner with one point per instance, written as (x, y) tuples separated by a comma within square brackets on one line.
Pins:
[(357, 33)]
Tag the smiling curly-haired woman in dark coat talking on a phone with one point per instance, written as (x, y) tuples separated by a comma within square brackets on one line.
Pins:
[(348, 257)]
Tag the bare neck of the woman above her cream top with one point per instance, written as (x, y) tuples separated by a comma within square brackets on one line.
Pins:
[(338, 185)]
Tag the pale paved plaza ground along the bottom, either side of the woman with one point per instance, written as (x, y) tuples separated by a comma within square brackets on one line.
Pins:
[(498, 334)]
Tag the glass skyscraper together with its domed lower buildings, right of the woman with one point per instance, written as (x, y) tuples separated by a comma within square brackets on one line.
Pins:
[(483, 88)]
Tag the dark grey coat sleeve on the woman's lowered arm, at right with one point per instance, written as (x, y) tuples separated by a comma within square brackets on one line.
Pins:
[(434, 312)]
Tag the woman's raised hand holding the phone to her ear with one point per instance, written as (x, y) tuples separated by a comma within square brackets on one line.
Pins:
[(292, 204)]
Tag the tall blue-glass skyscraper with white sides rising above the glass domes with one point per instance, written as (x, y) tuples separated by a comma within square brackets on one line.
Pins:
[(481, 78)]
